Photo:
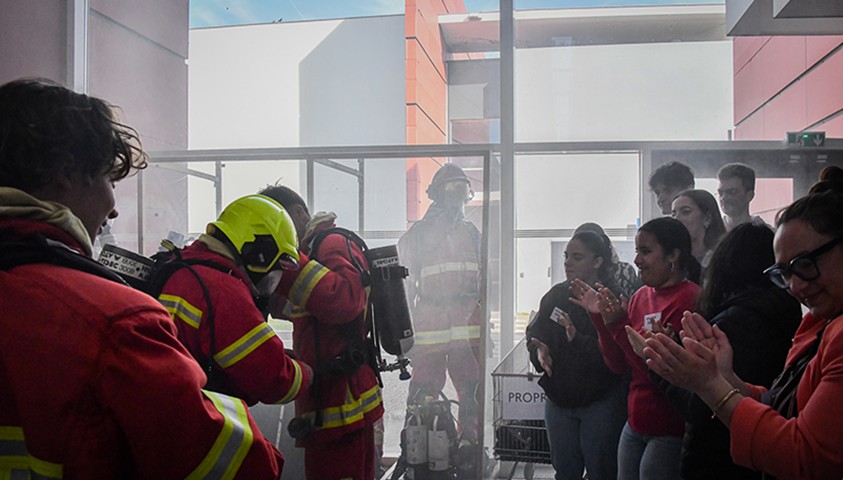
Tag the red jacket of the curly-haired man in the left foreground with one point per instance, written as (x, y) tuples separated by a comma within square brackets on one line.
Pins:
[(94, 384)]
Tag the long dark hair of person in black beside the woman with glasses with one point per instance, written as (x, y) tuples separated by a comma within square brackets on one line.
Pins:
[(737, 266)]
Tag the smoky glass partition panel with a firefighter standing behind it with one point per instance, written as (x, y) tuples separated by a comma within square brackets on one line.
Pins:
[(446, 250)]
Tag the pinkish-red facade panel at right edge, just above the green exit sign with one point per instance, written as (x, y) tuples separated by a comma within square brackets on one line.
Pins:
[(824, 86)]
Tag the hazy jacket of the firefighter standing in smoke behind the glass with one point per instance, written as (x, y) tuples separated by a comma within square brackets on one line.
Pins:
[(443, 257)]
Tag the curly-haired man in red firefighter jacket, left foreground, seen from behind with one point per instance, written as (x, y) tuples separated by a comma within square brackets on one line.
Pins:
[(94, 382)]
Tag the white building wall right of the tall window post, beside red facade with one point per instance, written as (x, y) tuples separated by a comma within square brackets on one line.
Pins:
[(656, 91)]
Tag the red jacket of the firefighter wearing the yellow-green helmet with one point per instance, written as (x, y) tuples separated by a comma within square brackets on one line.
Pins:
[(248, 355)]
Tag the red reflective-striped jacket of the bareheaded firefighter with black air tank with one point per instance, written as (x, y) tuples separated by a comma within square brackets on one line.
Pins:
[(324, 296)]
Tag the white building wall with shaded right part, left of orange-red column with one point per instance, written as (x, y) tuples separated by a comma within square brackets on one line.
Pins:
[(318, 83)]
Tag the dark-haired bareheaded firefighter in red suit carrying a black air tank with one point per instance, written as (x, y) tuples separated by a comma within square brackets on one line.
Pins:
[(326, 301)]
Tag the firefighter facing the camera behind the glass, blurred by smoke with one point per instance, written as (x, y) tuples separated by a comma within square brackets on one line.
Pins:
[(442, 253)]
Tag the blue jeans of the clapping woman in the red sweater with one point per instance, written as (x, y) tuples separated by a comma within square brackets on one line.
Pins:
[(648, 458)]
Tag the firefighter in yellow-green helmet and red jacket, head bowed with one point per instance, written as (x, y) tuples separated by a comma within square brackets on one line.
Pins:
[(220, 304)]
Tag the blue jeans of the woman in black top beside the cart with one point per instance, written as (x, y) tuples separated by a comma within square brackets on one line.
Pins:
[(586, 436)]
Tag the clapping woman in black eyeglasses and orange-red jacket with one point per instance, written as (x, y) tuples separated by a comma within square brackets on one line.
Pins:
[(794, 430)]
